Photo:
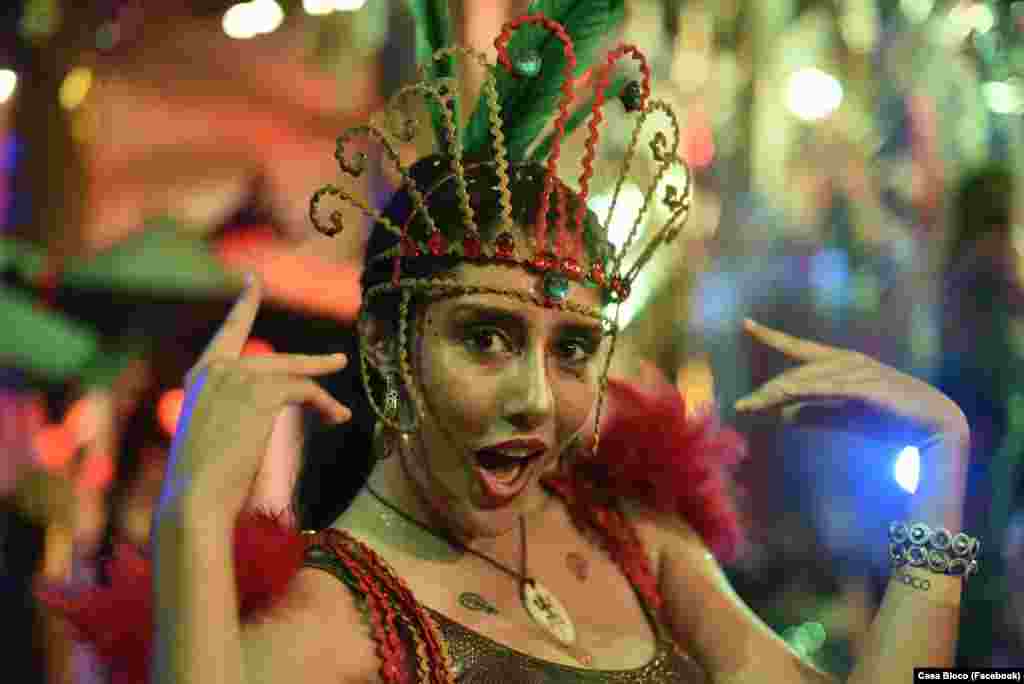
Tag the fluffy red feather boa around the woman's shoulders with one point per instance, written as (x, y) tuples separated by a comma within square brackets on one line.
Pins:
[(651, 451)]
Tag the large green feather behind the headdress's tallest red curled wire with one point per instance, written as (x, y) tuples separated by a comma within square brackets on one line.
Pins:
[(528, 105)]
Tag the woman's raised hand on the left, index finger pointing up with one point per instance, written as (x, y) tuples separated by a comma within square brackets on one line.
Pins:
[(231, 405)]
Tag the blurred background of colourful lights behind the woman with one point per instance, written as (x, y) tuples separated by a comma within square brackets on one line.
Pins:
[(857, 170)]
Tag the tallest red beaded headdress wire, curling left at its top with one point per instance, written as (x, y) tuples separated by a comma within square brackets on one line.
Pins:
[(564, 113)]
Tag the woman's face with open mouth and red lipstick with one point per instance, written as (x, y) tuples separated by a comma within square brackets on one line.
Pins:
[(490, 370)]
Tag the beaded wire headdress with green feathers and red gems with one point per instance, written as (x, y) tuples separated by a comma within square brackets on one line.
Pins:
[(543, 59)]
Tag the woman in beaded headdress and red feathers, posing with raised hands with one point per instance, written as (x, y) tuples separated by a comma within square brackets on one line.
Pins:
[(497, 537)]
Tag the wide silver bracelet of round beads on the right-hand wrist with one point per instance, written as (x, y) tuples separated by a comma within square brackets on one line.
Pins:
[(937, 550)]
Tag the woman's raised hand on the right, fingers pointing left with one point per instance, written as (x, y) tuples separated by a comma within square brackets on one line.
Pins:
[(829, 375)]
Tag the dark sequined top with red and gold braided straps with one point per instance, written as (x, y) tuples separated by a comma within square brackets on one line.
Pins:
[(414, 639)]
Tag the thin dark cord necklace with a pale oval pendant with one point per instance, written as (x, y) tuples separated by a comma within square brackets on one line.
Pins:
[(541, 605)]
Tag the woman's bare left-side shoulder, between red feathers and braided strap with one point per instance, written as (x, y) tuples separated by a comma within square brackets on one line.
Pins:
[(317, 633)]
